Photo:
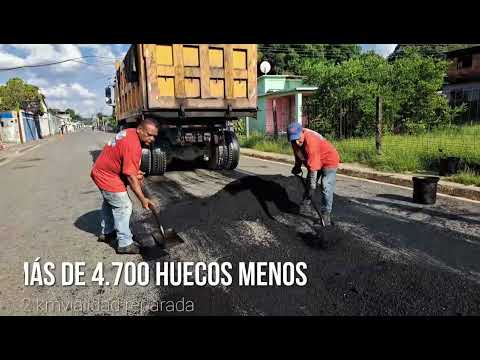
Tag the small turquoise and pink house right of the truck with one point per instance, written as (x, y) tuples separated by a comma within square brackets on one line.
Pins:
[(280, 98)]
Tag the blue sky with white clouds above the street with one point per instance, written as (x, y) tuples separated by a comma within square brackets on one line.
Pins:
[(79, 85)]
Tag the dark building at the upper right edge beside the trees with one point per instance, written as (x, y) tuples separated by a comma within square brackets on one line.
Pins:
[(463, 80)]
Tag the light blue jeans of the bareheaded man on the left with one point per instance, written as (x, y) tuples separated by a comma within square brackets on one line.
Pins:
[(116, 212)]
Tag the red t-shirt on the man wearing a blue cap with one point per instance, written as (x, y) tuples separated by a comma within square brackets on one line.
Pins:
[(317, 152)]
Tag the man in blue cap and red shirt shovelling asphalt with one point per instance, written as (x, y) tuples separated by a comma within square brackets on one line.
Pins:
[(321, 160)]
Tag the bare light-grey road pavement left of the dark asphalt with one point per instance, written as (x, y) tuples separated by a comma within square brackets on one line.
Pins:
[(49, 208)]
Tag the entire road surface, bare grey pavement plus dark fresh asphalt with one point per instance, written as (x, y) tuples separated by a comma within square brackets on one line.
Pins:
[(393, 257)]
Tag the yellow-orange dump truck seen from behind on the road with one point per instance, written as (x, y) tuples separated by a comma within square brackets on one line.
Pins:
[(195, 92)]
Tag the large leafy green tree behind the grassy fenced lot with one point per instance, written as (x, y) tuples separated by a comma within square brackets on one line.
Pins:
[(409, 86)]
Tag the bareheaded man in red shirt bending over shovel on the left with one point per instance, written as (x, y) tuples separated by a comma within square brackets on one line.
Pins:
[(118, 166)]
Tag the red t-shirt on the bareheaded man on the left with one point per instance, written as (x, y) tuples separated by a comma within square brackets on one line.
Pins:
[(118, 158)]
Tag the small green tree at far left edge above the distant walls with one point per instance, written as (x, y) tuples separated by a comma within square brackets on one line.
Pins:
[(15, 92)]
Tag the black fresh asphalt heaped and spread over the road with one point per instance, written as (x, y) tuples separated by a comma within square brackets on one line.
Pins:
[(242, 217)]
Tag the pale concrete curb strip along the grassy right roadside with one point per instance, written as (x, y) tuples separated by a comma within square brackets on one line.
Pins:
[(356, 170)]
